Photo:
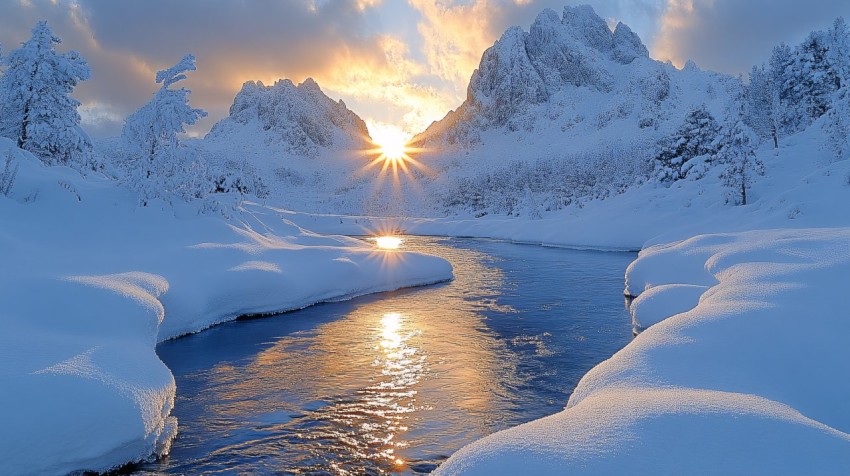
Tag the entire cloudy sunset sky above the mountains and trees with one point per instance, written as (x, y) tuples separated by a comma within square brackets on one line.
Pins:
[(397, 63)]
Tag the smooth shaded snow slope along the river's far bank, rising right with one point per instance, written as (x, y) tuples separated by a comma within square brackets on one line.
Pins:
[(802, 186)]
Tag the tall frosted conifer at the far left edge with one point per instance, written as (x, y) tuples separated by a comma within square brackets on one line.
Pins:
[(36, 108)]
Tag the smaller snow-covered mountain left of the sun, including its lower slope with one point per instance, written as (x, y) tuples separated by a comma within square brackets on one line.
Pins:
[(308, 149)]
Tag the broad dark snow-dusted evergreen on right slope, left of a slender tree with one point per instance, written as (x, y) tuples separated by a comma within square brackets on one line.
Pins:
[(695, 138)]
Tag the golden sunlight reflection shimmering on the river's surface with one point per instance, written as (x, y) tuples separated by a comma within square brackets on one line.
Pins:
[(368, 374)]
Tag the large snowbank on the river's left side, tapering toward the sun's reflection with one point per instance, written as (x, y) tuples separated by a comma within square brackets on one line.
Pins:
[(90, 283)]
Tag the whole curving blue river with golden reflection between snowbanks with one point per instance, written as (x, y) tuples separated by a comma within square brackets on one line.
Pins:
[(398, 381)]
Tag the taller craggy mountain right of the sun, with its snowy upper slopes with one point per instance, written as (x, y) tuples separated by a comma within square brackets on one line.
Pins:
[(575, 76)]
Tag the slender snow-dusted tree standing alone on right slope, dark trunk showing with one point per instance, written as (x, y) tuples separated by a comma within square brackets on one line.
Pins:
[(737, 153)]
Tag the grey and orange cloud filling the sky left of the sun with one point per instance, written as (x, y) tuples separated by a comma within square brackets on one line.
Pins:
[(125, 42)]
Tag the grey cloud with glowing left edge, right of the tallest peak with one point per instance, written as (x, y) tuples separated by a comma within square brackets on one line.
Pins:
[(732, 35)]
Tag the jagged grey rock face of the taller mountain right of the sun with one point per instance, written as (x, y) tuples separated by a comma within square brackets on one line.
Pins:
[(523, 70)]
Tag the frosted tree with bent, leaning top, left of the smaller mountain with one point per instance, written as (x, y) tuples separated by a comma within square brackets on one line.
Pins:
[(162, 167)]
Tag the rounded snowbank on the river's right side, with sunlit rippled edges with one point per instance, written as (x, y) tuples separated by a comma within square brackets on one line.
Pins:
[(749, 381)]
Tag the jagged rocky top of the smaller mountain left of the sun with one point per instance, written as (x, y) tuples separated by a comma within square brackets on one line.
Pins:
[(302, 118)]
